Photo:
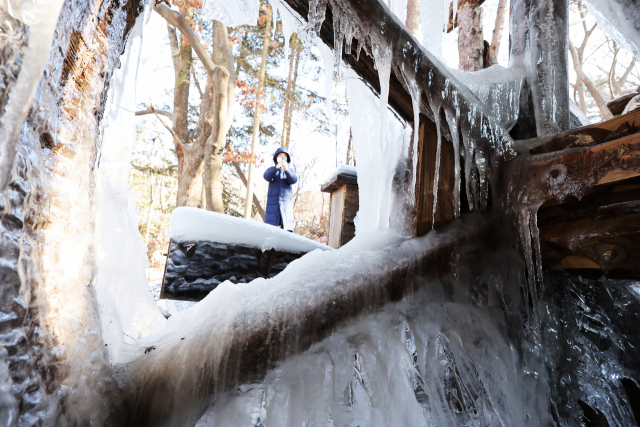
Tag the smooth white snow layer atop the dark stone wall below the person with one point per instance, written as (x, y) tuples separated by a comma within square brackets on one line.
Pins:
[(191, 224)]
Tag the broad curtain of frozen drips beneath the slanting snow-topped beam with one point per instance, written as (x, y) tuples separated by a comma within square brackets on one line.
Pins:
[(427, 360)]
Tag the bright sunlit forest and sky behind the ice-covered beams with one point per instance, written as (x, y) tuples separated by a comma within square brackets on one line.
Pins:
[(296, 114)]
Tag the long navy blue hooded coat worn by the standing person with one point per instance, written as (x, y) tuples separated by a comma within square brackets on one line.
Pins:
[(280, 195)]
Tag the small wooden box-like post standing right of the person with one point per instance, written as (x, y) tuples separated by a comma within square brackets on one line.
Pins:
[(344, 204)]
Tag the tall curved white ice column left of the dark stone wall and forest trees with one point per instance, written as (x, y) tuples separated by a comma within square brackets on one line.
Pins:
[(128, 311)]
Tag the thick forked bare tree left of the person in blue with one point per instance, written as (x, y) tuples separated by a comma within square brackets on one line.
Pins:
[(199, 153)]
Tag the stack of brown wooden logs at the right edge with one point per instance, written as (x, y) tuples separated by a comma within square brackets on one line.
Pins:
[(600, 164)]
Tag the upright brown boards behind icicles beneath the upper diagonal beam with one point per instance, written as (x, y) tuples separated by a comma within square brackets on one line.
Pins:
[(427, 148)]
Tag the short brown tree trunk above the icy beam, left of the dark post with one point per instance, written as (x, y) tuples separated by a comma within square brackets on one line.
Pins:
[(470, 39)]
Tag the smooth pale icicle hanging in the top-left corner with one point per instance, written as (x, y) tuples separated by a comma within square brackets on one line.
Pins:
[(41, 16)]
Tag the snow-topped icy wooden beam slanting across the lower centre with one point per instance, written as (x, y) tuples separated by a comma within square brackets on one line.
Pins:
[(227, 344)]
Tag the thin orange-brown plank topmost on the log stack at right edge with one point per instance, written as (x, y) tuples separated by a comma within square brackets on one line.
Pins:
[(587, 136)]
